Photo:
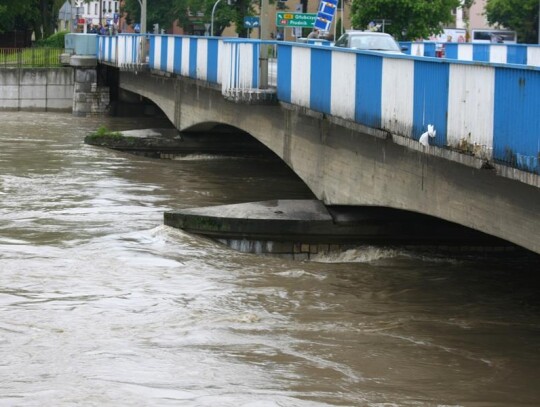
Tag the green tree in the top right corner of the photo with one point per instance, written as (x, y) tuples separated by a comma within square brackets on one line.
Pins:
[(518, 15)]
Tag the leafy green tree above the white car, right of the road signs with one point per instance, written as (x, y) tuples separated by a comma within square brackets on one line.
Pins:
[(410, 19)]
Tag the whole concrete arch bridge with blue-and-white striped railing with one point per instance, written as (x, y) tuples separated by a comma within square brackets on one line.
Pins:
[(349, 122)]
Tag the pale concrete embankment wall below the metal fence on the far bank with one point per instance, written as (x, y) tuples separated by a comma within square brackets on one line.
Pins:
[(36, 89)]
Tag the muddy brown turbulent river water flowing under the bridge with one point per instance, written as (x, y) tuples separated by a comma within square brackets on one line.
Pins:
[(102, 305)]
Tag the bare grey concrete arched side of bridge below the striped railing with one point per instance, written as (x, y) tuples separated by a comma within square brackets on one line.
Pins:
[(347, 164)]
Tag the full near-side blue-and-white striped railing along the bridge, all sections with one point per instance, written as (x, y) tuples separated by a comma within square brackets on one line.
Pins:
[(490, 110)]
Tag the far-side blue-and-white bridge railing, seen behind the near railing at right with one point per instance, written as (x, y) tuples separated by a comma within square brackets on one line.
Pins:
[(521, 54)]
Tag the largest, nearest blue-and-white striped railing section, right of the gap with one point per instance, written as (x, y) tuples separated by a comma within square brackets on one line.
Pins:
[(487, 110)]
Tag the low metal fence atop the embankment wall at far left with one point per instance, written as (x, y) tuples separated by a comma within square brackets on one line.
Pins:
[(30, 57)]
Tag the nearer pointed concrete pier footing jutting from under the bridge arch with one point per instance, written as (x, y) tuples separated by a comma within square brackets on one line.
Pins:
[(299, 227)]
